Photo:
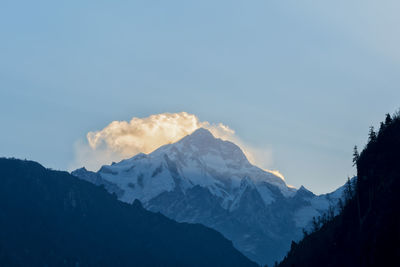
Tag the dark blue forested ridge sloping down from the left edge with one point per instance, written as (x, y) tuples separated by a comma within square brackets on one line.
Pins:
[(51, 218)]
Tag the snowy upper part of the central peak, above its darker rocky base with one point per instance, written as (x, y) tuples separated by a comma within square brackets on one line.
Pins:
[(198, 159)]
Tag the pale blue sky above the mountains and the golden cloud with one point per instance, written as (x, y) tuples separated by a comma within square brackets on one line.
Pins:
[(300, 81)]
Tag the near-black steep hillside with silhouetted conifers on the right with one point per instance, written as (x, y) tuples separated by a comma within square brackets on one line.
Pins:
[(367, 232)]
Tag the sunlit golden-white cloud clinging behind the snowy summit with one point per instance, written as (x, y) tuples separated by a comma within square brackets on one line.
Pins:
[(122, 139)]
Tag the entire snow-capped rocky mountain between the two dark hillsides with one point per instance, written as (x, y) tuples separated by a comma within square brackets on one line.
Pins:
[(202, 179)]
